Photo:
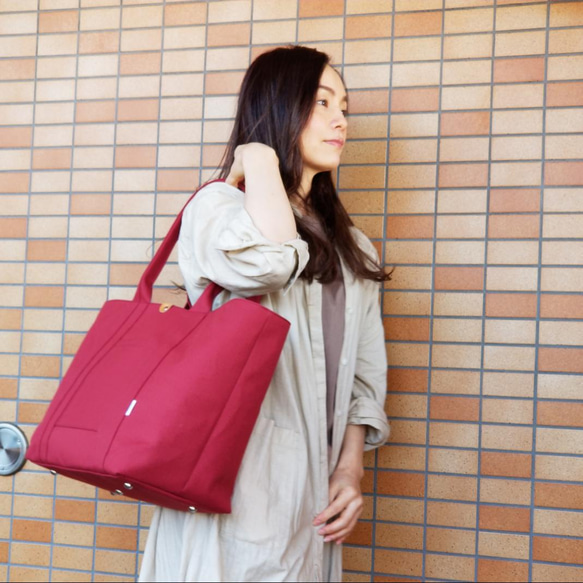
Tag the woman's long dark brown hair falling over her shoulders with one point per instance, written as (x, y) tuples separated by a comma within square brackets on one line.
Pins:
[(276, 100)]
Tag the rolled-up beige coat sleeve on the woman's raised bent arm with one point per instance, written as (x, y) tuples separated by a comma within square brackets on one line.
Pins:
[(219, 242)]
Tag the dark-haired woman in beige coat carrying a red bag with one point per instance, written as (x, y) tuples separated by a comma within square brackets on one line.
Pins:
[(288, 238)]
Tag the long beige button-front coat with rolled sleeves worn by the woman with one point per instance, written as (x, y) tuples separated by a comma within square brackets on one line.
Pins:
[(283, 480)]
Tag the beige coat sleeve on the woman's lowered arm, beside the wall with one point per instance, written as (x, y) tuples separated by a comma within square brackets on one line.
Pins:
[(370, 379)]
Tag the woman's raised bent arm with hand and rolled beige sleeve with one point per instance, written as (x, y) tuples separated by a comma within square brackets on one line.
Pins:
[(244, 241)]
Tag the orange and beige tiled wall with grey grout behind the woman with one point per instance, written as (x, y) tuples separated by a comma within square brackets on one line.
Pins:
[(464, 166)]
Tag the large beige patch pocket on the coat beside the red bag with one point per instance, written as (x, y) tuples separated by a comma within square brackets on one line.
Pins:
[(267, 497)]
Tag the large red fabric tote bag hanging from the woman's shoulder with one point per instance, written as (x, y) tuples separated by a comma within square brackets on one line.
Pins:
[(160, 401)]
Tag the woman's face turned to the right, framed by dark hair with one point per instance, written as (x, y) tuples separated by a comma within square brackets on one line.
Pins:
[(323, 138)]
